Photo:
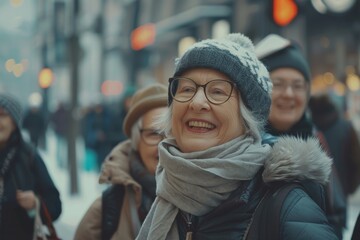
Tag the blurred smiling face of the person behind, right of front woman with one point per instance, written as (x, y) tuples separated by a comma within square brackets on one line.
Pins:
[(289, 98)]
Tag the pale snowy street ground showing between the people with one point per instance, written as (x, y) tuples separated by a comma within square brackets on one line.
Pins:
[(75, 206)]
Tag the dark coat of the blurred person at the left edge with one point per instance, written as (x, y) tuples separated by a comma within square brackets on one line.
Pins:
[(27, 172)]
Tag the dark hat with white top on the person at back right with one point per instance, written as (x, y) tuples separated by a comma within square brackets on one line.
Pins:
[(277, 52)]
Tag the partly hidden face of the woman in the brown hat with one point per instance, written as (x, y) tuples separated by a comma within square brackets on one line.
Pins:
[(148, 144)]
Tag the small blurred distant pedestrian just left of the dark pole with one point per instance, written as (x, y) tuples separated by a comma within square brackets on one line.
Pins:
[(60, 120)]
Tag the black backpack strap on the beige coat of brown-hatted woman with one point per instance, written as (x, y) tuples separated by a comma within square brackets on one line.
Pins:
[(112, 200)]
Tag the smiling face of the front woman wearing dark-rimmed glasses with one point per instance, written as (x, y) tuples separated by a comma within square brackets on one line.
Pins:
[(198, 124)]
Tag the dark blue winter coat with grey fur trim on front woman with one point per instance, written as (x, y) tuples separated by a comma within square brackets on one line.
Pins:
[(301, 217)]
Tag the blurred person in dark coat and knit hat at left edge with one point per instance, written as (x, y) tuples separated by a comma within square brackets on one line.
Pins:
[(24, 179)]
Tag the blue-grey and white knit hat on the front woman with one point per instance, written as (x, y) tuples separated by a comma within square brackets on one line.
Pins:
[(234, 56)]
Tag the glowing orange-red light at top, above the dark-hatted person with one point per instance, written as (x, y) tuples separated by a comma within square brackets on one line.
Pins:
[(284, 11)]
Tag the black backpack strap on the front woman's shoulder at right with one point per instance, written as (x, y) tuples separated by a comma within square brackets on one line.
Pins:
[(265, 223)]
